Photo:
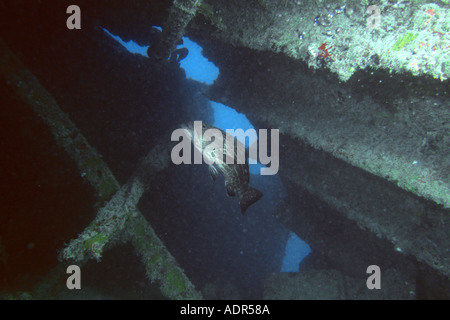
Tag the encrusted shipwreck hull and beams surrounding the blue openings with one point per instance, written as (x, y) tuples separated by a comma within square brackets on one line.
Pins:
[(360, 96)]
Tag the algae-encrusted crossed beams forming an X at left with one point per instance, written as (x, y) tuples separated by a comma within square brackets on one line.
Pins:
[(120, 215)]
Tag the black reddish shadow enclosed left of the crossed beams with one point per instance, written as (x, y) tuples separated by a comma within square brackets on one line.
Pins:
[(43, 201)]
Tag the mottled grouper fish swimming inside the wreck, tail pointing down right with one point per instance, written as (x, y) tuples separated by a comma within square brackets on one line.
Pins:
[(236, 174)]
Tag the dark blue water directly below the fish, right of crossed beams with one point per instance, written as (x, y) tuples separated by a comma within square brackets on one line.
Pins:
[(208, 235)]
